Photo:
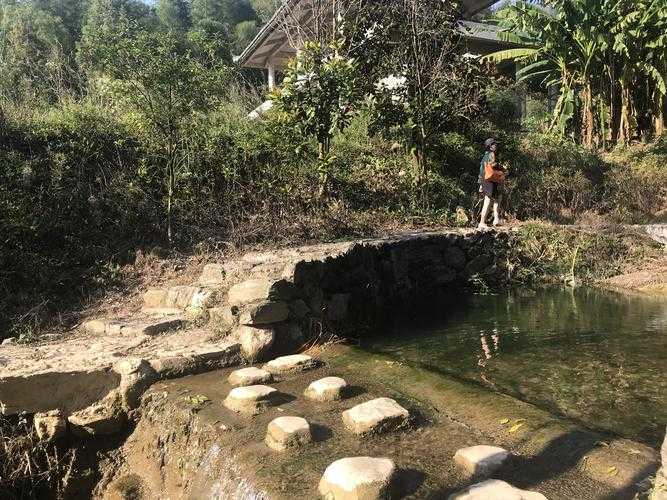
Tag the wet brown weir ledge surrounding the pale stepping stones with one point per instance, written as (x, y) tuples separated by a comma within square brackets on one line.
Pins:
[(188, 445)]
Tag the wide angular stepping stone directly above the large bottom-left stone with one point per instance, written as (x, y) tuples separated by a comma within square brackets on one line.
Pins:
[(378, 415)]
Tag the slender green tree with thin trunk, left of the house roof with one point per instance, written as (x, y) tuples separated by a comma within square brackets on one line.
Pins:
[(167, 83)]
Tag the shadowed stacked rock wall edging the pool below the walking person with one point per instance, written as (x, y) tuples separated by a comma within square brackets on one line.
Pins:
[(354, 287)]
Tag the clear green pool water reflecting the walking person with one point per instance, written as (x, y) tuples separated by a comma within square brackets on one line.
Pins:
[(597, 357)]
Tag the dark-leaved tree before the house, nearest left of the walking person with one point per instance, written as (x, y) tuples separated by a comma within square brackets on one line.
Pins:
[(428, 86)]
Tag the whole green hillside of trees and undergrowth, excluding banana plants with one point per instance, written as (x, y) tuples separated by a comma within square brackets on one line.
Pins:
[(123, 128)]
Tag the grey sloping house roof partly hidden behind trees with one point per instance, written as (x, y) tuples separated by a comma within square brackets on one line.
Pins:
[(272, 43)]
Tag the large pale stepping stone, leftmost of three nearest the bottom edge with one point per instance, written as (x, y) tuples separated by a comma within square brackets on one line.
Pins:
[(358, 478)]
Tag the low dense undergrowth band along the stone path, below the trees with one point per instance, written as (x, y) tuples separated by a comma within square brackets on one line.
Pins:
[(81, 191)]
